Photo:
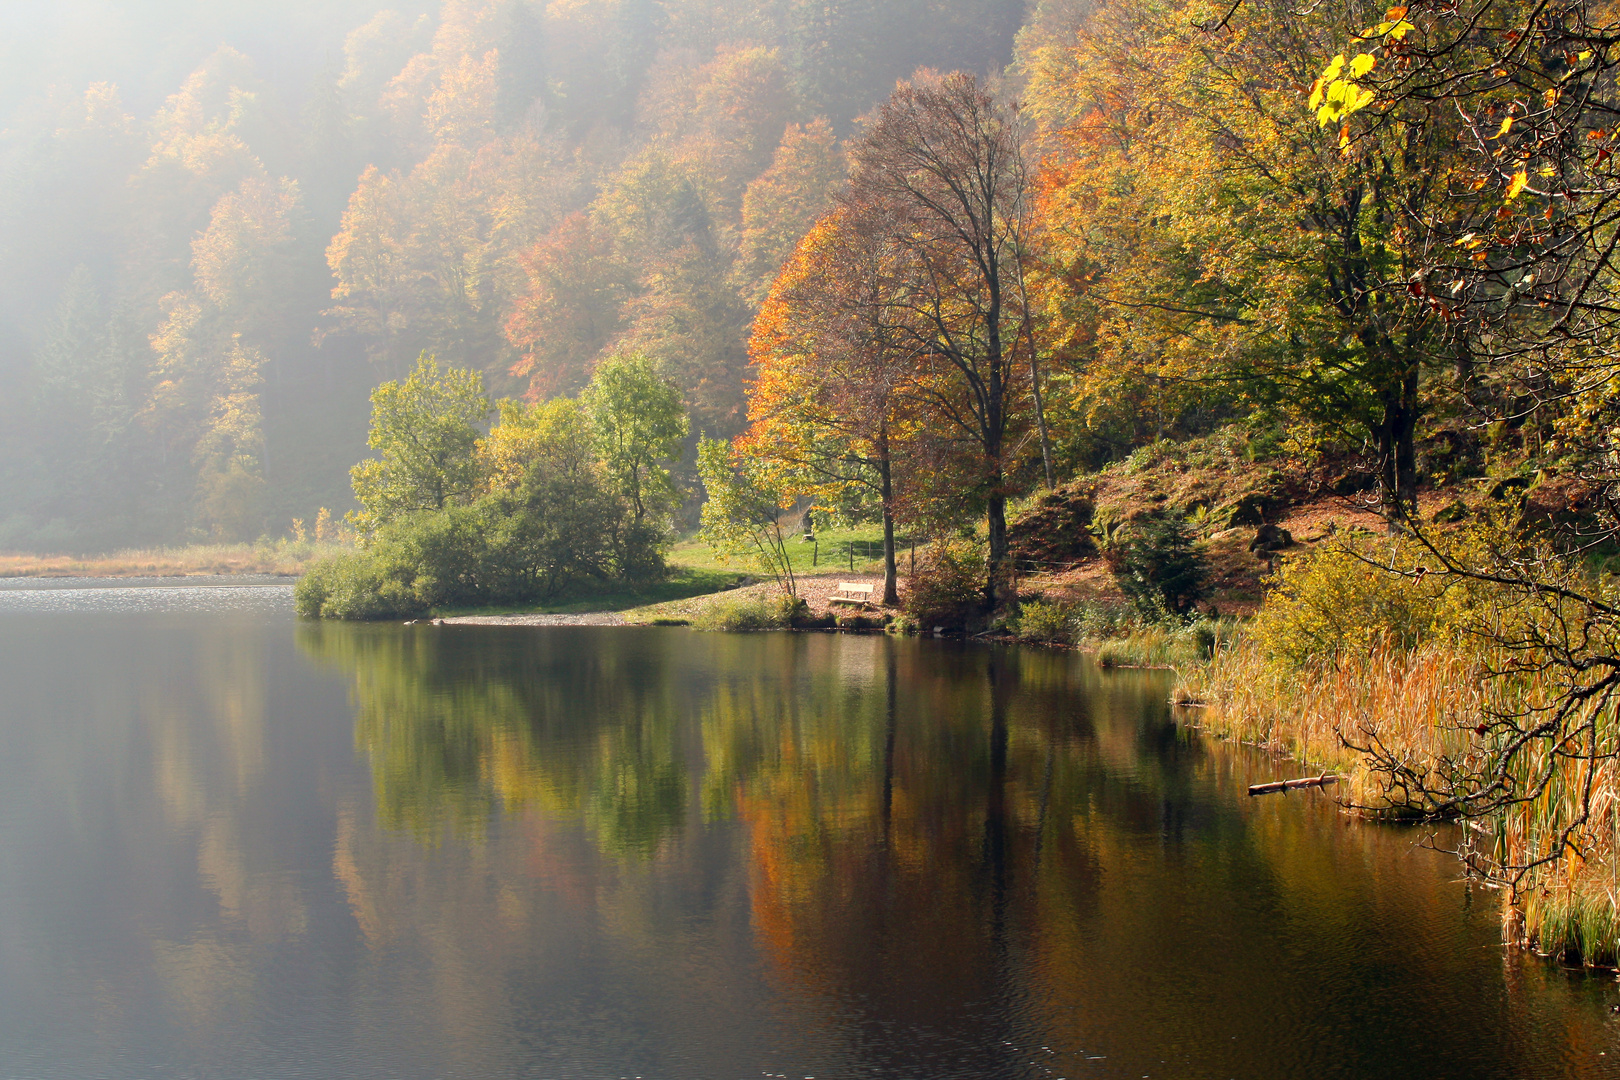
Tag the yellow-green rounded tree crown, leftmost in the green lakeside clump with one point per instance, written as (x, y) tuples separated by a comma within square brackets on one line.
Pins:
[(425, 432)]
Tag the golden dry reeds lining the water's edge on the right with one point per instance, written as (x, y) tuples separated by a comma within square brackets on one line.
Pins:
[(1428, 710)]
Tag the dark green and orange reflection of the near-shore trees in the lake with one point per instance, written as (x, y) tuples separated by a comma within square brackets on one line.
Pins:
[(953, 857)]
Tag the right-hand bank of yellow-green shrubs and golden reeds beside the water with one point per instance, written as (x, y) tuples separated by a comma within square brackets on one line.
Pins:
[(1426, 695)]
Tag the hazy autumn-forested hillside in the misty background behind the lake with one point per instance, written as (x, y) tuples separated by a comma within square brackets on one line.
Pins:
[(224, 224)]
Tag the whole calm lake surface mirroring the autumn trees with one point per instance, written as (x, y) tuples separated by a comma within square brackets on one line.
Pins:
[(236, 846)]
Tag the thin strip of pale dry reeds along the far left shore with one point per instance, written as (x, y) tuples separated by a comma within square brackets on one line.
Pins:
[(289, 558)]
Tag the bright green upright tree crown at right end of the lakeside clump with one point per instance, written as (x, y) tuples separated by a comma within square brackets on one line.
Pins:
[(639, 423)]
